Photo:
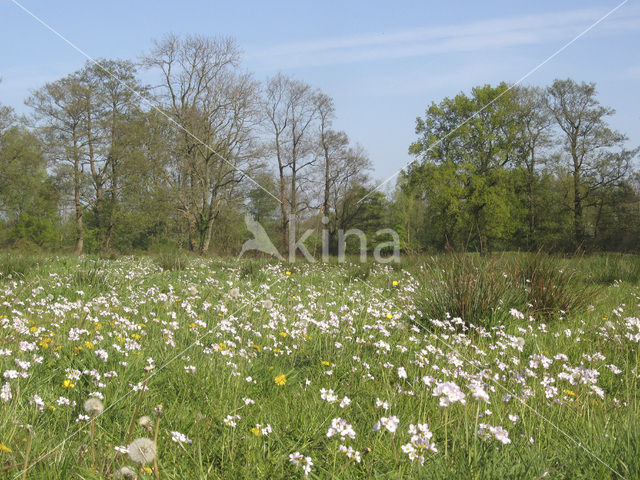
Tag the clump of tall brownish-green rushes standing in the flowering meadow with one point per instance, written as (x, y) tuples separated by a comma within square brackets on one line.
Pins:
[(484, 289)]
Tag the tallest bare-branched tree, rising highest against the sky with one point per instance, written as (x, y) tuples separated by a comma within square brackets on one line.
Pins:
[(214, 108)]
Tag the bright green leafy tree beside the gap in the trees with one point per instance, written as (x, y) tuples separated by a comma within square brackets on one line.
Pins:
[(465, 147)]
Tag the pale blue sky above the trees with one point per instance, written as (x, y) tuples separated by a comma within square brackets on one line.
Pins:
[(382, 62)]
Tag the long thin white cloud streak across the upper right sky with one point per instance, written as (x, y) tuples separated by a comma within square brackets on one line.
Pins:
[(460, 38)]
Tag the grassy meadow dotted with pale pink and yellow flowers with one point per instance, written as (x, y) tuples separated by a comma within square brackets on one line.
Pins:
[(219, 332)]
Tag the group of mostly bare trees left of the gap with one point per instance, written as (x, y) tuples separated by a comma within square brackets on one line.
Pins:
[(106, 162)]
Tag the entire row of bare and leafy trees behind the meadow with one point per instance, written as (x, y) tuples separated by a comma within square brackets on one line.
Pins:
[(104, 162)]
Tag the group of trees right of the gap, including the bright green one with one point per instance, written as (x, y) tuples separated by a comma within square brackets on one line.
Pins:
[(522, 168)]
